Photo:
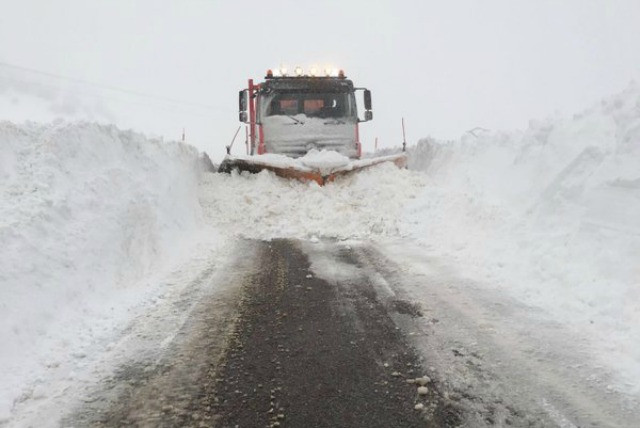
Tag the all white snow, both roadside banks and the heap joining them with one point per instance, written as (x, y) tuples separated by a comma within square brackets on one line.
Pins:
[(91, 217)]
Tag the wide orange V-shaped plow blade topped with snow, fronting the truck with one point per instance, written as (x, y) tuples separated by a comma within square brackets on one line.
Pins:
[(296, 170)]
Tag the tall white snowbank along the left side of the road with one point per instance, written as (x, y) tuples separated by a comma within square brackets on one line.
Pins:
[(85, 211)]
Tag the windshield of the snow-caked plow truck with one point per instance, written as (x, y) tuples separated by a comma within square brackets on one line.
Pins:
[(324, 105)]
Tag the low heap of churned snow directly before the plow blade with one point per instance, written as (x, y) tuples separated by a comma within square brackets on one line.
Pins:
[(368, 204)]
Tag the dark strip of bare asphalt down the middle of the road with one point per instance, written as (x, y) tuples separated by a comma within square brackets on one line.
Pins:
[(306, 353)]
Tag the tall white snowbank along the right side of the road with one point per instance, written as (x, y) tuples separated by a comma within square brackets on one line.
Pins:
[(551, 214)]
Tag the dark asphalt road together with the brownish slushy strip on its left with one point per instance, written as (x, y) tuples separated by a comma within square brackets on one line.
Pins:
[(289, 350)]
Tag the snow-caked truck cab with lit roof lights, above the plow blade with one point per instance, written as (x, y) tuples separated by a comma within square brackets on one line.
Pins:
[(292, 115)]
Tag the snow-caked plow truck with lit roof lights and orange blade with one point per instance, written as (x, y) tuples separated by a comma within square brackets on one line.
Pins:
[(293, 115)]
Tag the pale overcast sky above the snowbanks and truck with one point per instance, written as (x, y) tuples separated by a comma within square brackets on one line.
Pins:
[(445, 66)]
